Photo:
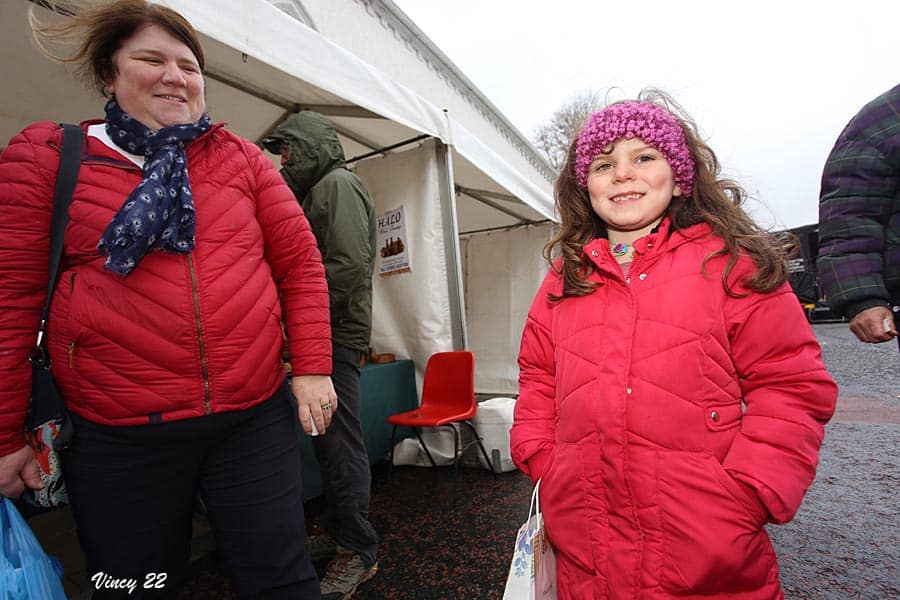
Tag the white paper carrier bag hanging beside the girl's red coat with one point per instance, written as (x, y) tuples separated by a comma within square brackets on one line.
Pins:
[(532, 572)]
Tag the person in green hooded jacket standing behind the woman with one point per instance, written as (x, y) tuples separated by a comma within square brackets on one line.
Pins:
[(342, 217)]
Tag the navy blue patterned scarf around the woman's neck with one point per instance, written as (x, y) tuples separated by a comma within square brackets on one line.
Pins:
[(159, 212)]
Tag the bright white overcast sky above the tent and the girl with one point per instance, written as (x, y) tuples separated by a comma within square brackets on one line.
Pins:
[(770, 83)]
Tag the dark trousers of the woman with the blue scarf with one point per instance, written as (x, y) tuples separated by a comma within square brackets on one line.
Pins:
[(133, 491)]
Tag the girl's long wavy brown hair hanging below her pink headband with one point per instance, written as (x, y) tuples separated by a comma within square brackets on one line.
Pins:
[(715, 200)]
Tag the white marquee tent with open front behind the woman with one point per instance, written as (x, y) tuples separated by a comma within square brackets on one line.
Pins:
[(475, 213)]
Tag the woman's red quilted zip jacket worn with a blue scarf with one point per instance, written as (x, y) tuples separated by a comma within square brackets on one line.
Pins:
[(182, 335)]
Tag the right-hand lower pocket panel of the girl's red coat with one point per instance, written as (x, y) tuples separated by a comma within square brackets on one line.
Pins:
[(714, 539)]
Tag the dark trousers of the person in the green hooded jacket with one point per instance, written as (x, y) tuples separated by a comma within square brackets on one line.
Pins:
[(344, 462)]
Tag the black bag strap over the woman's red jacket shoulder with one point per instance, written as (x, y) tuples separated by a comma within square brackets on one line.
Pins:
[(66, 178)]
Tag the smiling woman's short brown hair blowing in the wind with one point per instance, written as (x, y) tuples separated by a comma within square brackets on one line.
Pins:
[(99, 31)]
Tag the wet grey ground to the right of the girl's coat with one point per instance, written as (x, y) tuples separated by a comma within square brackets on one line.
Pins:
[(843, 543)]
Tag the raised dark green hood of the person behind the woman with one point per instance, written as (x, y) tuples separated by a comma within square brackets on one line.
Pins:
[(315, 150)]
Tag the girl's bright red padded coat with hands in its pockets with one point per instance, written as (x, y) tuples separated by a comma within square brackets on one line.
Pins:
[(668, 423)]
